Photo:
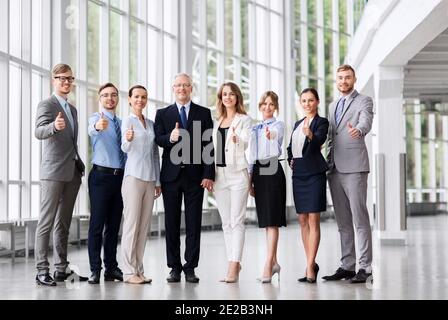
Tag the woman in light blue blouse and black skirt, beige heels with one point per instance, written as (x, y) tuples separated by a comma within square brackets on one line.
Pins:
[(268, 183)]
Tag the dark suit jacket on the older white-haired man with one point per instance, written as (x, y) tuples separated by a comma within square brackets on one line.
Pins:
[(165, 122)]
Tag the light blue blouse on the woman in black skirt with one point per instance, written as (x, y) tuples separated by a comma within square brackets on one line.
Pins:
[(260, 147)]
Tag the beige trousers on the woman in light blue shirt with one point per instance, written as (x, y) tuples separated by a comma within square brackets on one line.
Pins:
[(138, 201)]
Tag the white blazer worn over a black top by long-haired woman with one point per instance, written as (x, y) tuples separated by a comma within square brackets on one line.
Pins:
[(235, 152)]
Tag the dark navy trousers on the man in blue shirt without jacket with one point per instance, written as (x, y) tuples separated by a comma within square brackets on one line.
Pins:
[(106, 210)]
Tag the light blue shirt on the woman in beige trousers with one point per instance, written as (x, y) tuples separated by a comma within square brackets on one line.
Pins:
[(143, 153)]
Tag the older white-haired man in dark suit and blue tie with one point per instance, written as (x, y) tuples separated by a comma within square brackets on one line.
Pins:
[(181, 127)]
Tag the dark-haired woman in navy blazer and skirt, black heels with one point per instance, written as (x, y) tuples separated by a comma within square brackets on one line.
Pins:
[(308, 178)]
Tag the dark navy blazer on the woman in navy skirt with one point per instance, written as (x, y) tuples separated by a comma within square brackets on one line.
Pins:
[(312, 161)]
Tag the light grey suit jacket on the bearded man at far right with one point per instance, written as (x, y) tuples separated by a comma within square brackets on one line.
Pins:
[(348, 154)]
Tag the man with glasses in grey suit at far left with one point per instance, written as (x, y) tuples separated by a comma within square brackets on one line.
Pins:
[(60, 174)]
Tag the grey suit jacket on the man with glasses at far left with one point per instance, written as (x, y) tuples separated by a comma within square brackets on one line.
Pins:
[(60, 148)]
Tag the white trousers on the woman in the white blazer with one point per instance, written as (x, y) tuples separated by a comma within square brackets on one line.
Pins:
[(231, 191)]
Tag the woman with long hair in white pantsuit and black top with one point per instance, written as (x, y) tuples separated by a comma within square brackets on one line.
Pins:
[(230, 137)]
